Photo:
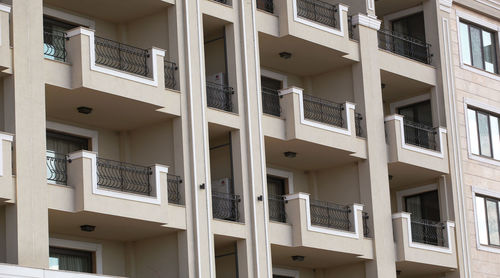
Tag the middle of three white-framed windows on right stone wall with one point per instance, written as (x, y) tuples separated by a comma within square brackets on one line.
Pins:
[(484, 134)]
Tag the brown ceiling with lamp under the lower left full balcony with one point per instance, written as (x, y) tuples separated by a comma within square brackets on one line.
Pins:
[(106, 226)]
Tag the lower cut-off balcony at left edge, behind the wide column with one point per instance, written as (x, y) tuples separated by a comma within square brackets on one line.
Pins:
[(7, 184)]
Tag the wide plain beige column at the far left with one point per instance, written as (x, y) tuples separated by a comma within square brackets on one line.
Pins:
[(27, 221)]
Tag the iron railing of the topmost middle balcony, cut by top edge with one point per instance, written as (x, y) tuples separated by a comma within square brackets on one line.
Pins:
[(317, 11)]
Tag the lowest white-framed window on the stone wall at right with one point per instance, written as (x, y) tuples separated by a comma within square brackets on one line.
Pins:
[(487, 211)]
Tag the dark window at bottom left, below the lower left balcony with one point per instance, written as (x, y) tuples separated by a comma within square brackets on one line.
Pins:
[(72, 260)]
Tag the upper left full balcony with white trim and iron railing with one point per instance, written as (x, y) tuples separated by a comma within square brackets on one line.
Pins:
[(87, 64)]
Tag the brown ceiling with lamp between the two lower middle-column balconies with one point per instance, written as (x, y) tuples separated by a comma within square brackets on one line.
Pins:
[(310, 156)]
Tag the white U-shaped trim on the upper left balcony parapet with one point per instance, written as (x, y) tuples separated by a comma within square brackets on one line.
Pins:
[(155, 52)]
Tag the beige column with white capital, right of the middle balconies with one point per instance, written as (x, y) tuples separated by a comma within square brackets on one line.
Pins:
[(373, 172)]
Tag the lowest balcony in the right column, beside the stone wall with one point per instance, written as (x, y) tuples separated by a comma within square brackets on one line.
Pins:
[(423, 248)]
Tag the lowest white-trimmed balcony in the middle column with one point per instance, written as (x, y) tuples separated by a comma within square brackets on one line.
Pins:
[(318, 227)]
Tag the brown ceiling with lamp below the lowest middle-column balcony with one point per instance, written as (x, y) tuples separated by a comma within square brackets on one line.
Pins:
[(313, 258)]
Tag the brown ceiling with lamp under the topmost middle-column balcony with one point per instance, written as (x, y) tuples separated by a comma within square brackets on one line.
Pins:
[(307, 59)]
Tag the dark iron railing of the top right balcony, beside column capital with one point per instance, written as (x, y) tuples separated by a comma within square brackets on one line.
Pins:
[(404, 45)]
